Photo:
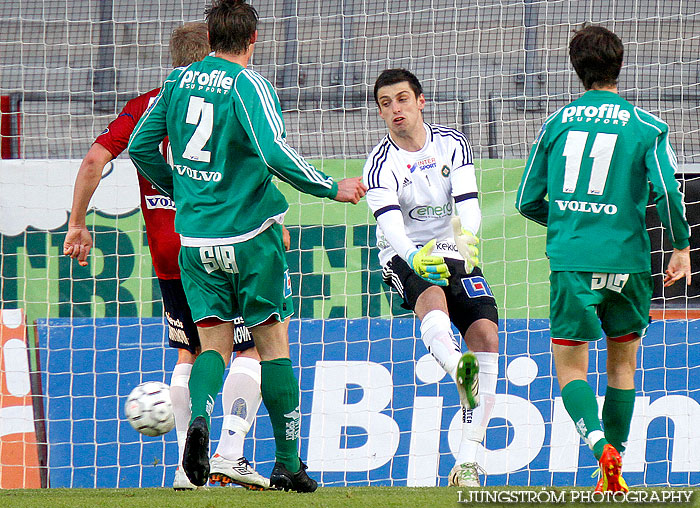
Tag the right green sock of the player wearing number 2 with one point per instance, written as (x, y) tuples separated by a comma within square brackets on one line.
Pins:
[(280, 391)]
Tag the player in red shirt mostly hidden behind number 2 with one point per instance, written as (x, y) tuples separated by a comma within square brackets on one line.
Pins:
[(241, 391)]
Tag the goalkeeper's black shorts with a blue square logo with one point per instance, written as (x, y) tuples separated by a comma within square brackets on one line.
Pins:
[(469, 297)]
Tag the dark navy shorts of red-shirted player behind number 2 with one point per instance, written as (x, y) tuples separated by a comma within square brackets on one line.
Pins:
[(182, 332)]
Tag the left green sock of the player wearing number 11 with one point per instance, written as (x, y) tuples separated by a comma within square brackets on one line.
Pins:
[(580, 403)]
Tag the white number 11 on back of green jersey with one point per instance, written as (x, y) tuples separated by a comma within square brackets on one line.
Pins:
[(601, 153)]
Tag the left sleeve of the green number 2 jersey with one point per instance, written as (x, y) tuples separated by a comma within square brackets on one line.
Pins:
[(146, 138)]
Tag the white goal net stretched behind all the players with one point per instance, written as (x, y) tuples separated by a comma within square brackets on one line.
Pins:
[(375, 410)]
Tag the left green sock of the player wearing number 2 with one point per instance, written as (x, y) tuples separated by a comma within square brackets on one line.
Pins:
[(206, 379)]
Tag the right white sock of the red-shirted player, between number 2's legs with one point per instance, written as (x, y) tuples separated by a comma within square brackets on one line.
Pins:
[(241, 400)]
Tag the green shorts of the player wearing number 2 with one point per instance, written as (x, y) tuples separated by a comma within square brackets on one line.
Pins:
[(249, 279)]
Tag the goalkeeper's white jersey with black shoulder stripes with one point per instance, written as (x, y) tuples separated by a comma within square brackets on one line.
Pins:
[(423, 185)]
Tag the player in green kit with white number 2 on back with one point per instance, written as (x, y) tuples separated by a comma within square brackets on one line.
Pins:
[(227, 136)]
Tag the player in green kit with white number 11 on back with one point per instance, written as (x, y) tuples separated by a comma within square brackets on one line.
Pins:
[(594, 159)]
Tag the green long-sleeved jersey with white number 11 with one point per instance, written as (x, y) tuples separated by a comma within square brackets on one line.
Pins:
[(587, 179)]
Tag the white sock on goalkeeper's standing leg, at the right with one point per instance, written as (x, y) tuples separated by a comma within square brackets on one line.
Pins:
[(475, 421)]
